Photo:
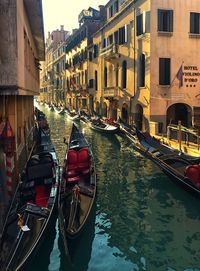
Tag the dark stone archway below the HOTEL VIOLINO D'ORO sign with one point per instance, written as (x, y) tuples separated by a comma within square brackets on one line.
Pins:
[(179, 112)]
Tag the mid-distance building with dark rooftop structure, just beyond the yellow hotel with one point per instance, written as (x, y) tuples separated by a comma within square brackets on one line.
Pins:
[(77, 58)]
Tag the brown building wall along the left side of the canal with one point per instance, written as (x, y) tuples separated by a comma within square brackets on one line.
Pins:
[(21, 49)]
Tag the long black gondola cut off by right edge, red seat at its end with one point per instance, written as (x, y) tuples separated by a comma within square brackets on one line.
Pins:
[(181, 169)]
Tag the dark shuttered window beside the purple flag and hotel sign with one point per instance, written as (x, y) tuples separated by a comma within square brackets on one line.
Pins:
[(164, 71)]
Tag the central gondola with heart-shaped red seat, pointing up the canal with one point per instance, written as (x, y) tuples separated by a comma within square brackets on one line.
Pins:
[(78, 187)]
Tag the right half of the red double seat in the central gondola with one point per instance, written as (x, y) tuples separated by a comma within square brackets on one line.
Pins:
[(84, 161)]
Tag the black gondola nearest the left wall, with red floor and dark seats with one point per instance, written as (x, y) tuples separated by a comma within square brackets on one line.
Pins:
[(32, 212)]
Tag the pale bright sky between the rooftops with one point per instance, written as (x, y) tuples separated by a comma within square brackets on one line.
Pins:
[(65, 12)]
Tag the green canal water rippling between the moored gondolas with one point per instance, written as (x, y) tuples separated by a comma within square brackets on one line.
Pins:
[(141, 219)]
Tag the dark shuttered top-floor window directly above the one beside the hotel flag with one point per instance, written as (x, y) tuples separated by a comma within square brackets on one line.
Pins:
[(165, 20)]
